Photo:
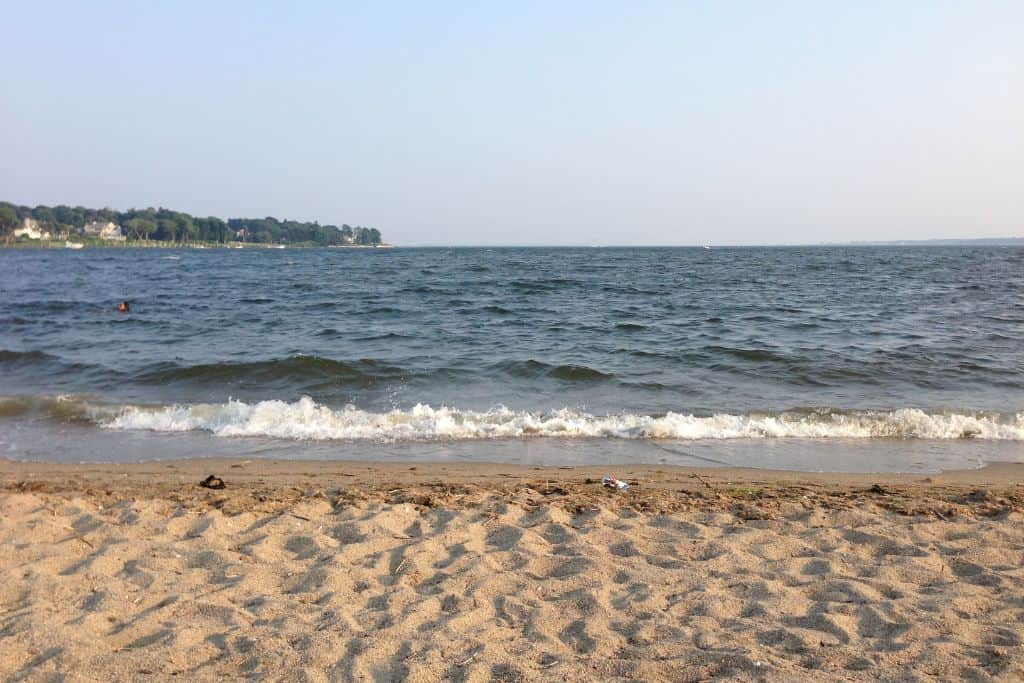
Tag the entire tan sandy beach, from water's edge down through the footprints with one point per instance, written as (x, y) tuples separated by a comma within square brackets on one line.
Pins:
[(480, 573)]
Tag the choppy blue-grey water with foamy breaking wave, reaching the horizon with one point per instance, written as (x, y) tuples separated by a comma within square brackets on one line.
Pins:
[(891, 359)]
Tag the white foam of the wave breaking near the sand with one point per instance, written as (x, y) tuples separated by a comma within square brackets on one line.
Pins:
[(307, 420)]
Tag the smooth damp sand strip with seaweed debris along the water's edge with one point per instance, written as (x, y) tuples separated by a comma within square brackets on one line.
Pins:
[(268, 484)]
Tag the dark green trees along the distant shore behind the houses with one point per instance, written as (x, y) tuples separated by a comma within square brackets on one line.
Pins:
[(167, 226)]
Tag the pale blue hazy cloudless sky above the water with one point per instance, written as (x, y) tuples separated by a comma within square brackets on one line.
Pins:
[(528, 123)]
